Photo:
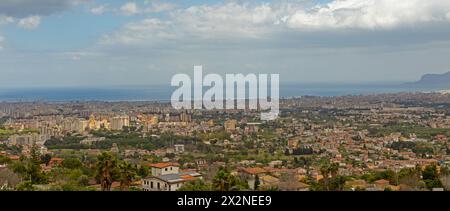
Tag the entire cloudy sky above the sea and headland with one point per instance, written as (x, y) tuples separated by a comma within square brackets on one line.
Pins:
[(97, 43)]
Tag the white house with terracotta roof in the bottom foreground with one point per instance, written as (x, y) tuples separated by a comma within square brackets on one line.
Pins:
[(167, 177)]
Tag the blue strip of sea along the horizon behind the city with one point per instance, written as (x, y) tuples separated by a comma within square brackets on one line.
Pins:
[(164, 92)]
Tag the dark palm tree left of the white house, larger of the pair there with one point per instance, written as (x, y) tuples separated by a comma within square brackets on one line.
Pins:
[(106, 166)]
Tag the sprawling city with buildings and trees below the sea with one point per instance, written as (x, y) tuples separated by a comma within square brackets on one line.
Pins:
[(383, 142)]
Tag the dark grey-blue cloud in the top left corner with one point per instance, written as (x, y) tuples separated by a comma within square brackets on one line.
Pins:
[(25, 8)]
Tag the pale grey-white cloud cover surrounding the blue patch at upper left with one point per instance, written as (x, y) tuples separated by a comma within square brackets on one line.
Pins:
[(343, 40)]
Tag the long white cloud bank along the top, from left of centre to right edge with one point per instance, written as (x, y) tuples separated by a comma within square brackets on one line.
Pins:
[(259, 20)]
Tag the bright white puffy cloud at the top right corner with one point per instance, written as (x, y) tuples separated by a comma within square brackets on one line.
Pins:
[(369, 14)]
